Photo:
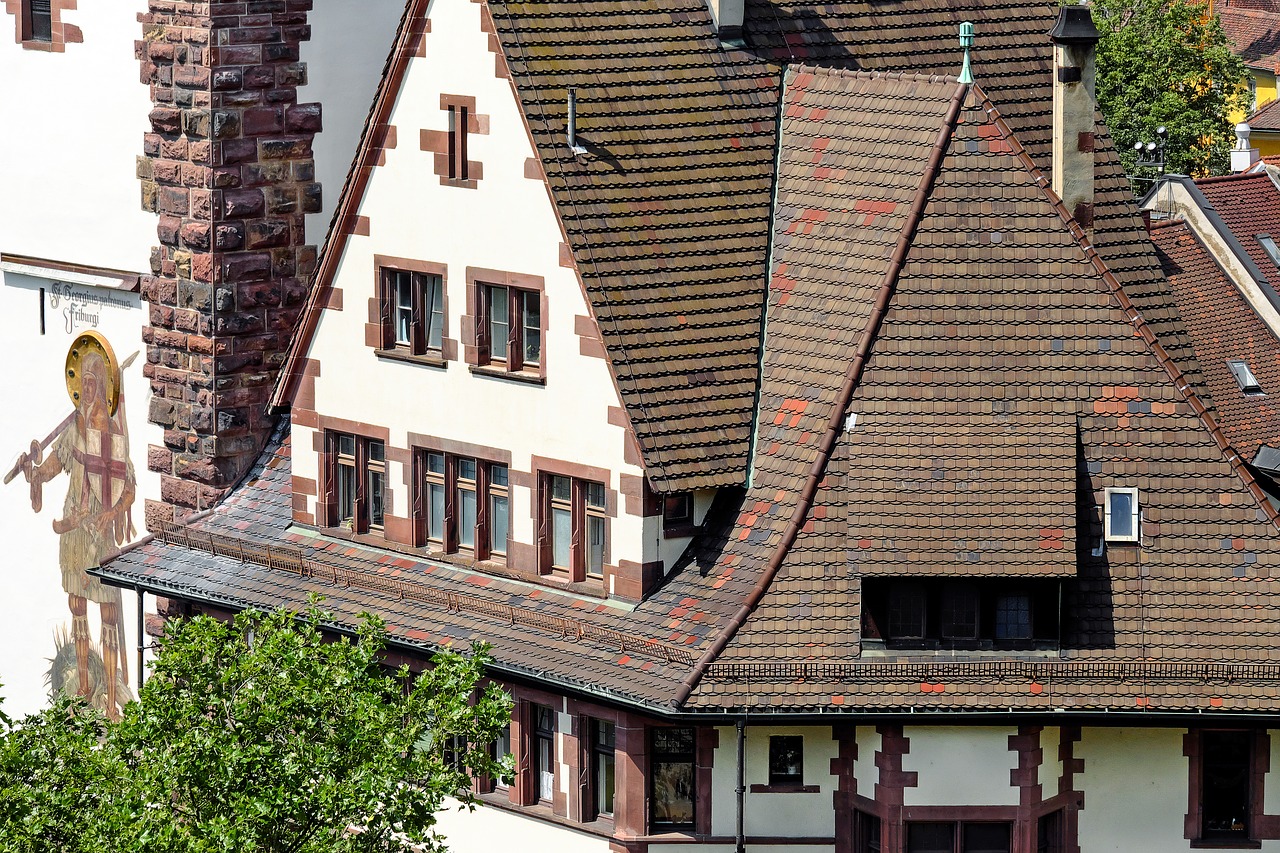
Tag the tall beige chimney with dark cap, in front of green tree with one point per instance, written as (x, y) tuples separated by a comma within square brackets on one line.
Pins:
[(1075, 39)]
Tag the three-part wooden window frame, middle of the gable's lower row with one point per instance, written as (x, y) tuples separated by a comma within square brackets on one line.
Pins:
[(450, 481)]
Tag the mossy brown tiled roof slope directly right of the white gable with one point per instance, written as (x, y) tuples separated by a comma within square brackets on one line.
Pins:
[(666, 212)]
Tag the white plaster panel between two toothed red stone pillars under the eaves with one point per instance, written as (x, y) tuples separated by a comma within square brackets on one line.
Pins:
[(961, 767)]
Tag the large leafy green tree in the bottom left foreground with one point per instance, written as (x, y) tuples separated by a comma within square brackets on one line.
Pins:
[(257, 736)]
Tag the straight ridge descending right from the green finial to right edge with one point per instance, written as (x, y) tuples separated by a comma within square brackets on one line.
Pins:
[(1181, 382)]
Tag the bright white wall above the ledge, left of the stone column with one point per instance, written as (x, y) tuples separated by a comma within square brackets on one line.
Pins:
[(71, 134)]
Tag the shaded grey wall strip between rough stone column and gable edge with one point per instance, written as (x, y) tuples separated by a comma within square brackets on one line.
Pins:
[(349, 47)]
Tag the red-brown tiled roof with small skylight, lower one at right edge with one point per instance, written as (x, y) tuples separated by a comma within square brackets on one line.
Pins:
[(1224, 327)]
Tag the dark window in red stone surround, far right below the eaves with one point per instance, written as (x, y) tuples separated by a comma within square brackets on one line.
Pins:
[(1224, 774)]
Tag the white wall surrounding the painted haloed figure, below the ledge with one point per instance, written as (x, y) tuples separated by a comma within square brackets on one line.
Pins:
[(35, 605)]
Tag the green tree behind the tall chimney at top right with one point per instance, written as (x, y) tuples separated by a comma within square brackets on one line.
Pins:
[(1168, 63)]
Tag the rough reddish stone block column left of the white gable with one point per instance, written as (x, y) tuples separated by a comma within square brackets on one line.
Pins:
[(228, 167)]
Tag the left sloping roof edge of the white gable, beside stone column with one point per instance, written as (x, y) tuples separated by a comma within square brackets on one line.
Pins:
[(412, 28)]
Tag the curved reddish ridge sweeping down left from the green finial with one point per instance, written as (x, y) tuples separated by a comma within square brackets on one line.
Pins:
[(853, 375)]
